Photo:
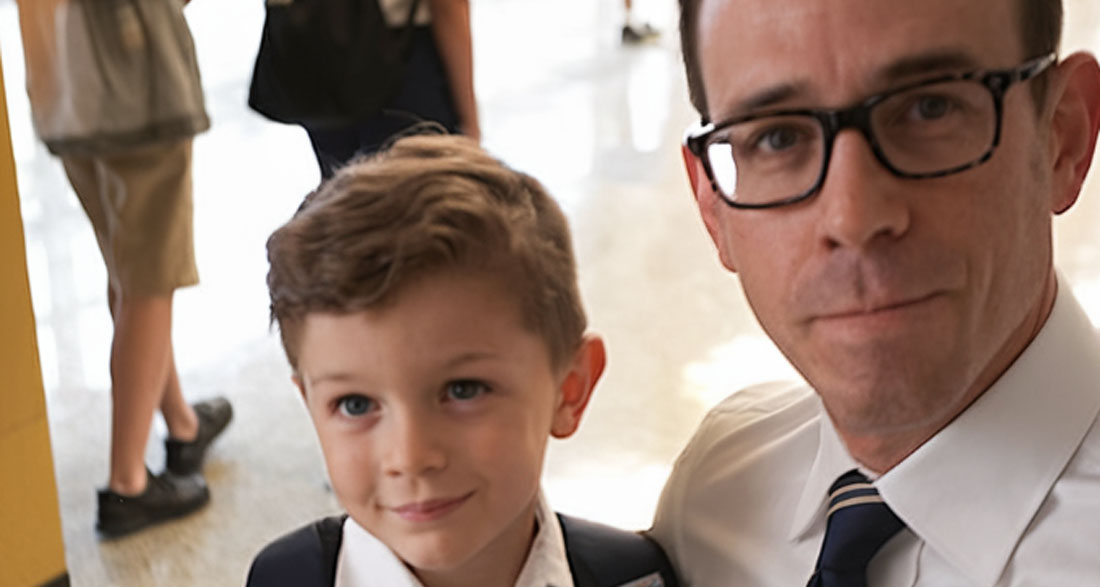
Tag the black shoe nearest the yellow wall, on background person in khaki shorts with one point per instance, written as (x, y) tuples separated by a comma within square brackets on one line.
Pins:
[(167, 496)]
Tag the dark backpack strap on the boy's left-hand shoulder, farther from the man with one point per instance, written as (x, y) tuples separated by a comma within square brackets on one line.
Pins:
[(306, 558)]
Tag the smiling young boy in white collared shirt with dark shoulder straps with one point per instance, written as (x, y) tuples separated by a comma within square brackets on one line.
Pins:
[(427, 302)]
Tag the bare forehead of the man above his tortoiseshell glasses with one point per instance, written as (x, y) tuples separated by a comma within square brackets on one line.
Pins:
[(830, 52)]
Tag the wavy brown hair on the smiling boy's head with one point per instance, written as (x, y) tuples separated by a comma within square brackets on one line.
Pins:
[(426, 205)]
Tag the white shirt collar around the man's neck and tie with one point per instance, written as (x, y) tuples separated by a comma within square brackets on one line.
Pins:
[(1004, 453)]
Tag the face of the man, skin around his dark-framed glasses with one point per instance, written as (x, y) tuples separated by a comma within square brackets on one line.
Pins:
[(889, 295)]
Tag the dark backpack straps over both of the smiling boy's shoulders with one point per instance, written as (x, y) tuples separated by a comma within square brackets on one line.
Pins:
[(599, 557)]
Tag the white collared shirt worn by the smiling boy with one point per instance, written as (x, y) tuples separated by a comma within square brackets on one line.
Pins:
[(366, 562)]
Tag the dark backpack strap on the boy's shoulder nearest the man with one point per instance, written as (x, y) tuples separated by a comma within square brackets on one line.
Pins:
[(604, 557)]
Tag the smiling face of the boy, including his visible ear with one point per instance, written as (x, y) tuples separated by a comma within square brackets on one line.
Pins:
[(434, 414)]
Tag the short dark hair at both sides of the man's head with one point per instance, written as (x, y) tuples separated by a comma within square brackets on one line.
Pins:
[(1040, 29)]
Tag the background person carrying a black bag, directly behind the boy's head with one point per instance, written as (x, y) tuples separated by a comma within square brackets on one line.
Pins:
[(354, 75)]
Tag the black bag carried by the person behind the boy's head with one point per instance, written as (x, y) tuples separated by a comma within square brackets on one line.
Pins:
[(328, 63)]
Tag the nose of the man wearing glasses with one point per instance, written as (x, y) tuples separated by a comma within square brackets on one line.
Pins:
[(860, 198)]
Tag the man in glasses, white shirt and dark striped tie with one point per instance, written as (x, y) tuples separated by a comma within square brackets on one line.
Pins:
[(883, 178)]
